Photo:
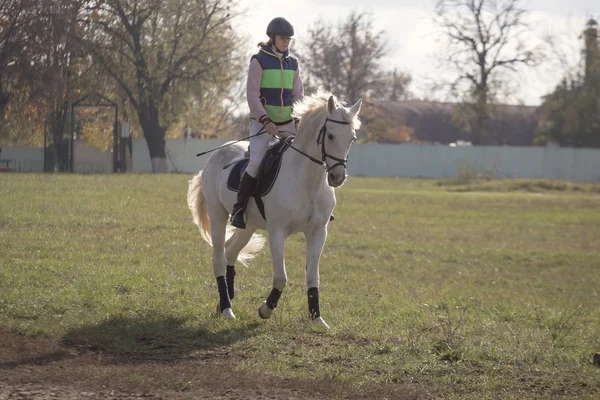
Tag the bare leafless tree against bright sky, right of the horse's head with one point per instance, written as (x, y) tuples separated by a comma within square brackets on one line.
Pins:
[(484, 41)]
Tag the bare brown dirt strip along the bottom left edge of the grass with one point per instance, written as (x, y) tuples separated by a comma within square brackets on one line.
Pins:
[(43, 369)]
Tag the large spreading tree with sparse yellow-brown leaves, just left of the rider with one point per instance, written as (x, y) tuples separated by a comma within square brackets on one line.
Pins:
[(155, 50)]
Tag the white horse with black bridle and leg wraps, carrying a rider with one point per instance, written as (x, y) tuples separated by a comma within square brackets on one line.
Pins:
[(302, 199)]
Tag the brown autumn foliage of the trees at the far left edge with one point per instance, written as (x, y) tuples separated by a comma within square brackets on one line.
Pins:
[(51, 71)]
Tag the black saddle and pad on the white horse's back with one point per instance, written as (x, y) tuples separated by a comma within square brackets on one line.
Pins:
[(267, 172)]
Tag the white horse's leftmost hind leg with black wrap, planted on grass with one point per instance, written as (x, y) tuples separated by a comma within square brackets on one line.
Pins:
[(218, 231)]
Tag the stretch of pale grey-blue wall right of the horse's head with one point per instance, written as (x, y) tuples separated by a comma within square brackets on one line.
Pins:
[(437, 161)]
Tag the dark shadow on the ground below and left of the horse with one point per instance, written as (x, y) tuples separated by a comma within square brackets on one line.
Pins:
[(155, 339)]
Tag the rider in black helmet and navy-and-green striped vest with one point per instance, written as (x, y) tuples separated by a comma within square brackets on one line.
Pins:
[(274, 84)]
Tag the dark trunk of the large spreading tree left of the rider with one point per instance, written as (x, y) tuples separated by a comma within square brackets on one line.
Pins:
[(154, 134)]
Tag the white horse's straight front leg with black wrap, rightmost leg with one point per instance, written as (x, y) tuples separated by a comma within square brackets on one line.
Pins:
[(315, 241)]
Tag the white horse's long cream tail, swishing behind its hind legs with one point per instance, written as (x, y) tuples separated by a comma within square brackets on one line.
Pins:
[(197, 205)]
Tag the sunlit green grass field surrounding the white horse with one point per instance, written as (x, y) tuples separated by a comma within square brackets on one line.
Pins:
[(470, 291)]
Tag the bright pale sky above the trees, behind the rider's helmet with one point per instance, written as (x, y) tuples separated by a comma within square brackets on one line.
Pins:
[(414, 40)]
